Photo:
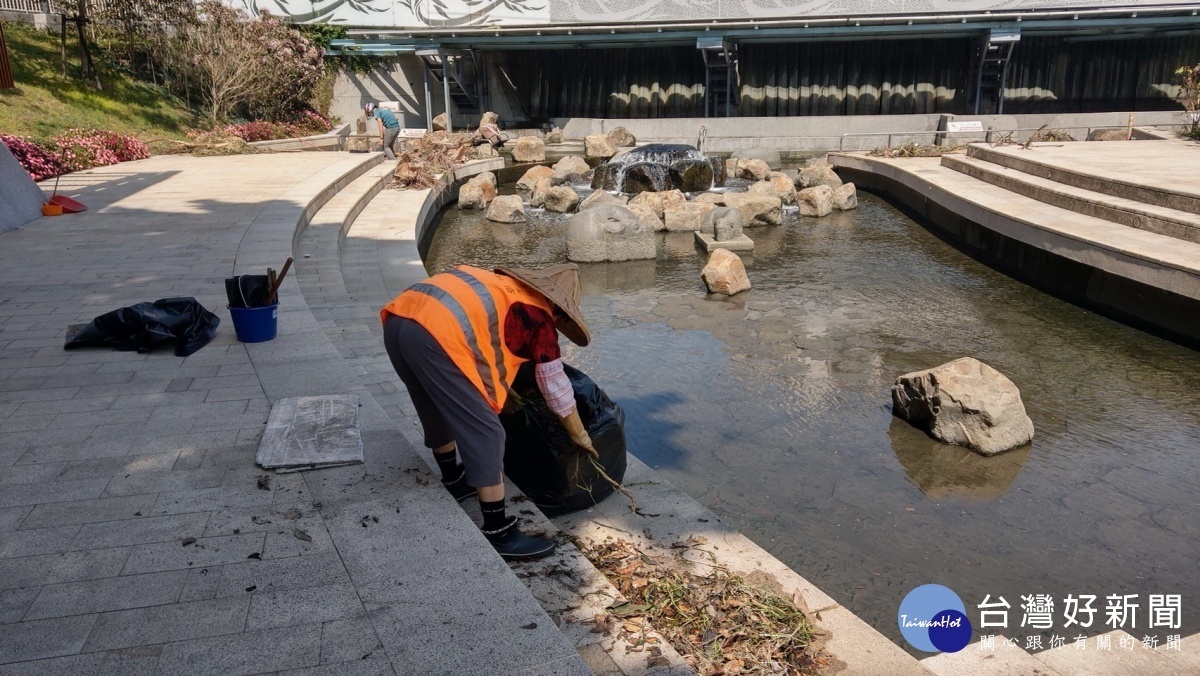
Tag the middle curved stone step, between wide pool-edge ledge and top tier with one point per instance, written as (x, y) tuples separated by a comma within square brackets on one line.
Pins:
[(1132, 213)]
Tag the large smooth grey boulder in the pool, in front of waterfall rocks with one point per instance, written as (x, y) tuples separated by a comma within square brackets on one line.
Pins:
[(609, 232)]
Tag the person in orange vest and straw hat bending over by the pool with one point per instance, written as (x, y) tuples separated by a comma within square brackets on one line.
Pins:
[(457, 340)]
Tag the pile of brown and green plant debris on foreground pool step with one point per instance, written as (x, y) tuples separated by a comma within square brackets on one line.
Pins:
[(719, 623)]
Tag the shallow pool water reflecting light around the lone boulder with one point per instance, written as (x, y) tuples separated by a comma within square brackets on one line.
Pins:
[(773, 409)]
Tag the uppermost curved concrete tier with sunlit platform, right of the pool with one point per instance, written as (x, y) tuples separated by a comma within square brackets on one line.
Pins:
[(1127, 183)]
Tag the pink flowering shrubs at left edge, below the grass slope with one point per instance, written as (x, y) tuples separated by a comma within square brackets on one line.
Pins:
[(74, 152)]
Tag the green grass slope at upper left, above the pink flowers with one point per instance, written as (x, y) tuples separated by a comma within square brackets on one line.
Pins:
[(45, 104)]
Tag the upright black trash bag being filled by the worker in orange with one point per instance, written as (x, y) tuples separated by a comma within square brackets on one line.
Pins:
[(541, 458)]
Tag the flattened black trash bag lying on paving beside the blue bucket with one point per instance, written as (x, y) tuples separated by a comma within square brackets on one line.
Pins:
[(147, 326)]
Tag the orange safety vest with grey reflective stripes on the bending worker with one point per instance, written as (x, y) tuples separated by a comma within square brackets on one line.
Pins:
[(465, 309)]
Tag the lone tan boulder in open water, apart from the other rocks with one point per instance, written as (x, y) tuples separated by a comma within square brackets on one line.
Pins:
[(964, 403)]
